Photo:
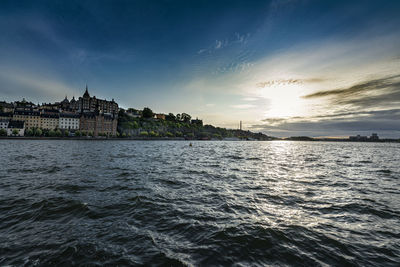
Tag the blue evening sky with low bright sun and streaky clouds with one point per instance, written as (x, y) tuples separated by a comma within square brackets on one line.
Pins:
[(284, 68)]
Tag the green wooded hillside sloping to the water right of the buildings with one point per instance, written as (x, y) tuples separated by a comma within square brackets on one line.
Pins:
[(175, 126)]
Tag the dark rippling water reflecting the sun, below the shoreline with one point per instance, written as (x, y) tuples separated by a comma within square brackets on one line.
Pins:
[(216, 203)]
